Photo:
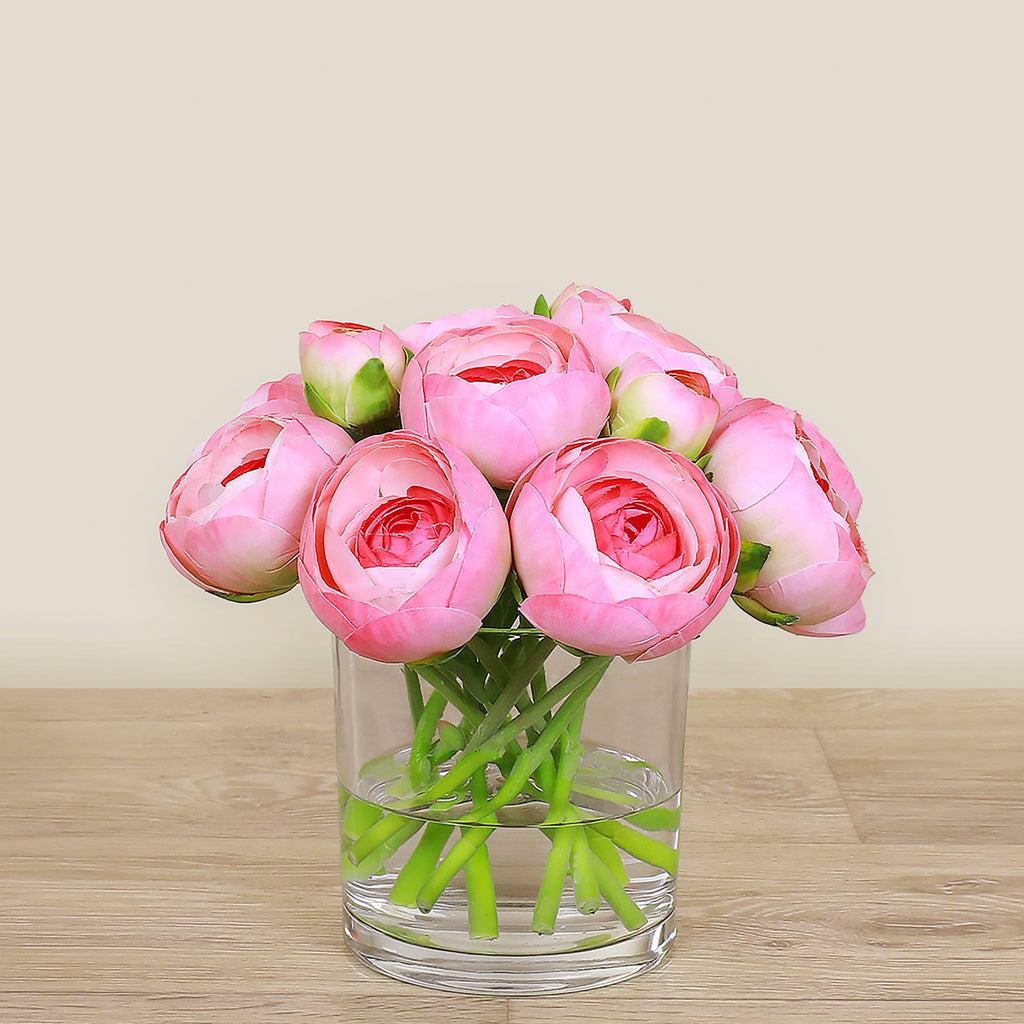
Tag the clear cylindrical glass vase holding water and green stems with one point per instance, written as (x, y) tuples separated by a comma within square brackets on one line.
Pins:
[(510, 817)]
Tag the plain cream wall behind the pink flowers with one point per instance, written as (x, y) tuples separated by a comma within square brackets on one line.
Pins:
[(828, 196)]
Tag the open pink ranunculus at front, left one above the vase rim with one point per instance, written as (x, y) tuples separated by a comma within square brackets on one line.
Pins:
[(405, 549)]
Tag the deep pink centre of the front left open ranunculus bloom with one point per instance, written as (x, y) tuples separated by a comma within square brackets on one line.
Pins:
[(403, 531)]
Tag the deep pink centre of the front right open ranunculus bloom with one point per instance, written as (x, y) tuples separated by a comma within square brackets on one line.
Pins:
[(633, 528)]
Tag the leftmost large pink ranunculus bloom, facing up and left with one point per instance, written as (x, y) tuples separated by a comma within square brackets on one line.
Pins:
[(235, 517)]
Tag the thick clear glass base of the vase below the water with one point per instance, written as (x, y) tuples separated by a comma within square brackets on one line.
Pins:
[(487, 974)]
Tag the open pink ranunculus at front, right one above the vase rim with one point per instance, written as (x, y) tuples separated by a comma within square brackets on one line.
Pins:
[(622, 547)]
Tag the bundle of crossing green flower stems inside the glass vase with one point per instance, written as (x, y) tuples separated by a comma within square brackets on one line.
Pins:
[(532, 737)]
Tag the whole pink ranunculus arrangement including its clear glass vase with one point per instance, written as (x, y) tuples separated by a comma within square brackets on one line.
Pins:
[(515, 525)]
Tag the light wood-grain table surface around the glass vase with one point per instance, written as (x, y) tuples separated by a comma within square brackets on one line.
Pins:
[(847, 856)]
